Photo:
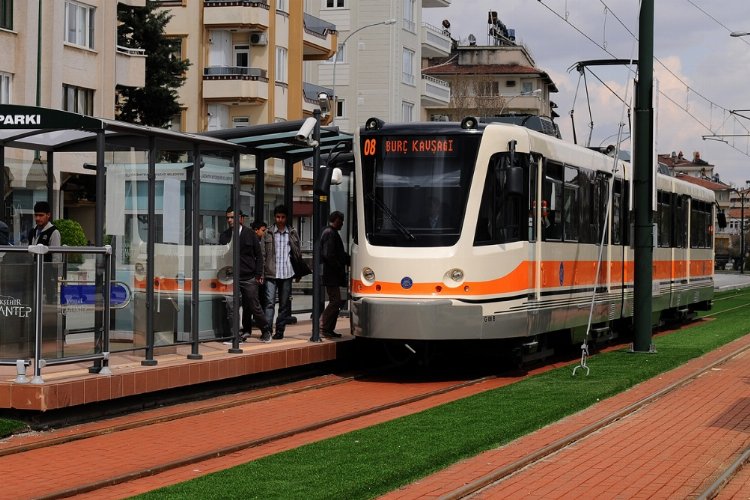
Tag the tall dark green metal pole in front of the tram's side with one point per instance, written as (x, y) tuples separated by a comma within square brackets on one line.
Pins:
[(643, 182)]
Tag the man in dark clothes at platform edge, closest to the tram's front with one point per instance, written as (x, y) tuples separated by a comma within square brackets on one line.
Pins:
[(335, 259)]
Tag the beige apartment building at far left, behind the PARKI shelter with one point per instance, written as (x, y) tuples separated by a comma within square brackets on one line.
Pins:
[(59, 54)]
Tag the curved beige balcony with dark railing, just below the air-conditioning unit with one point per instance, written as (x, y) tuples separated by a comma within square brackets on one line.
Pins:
[(235, 84)]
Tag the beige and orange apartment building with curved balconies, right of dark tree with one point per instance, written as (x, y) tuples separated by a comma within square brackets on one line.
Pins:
[(246, 61)]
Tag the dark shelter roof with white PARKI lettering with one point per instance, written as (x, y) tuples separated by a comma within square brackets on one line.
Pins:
[(45, 129)]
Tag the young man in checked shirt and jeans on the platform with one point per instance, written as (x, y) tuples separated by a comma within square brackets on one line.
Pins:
[(279, 242)]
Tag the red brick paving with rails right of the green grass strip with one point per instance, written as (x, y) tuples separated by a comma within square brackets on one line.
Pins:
[(675, 447)]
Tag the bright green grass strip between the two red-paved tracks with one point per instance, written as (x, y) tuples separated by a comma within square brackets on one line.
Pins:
[(373, 461)]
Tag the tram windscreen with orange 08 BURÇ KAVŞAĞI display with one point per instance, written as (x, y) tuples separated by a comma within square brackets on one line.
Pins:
[(415, 189)]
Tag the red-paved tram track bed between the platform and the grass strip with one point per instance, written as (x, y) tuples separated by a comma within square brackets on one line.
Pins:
[(86, 440)]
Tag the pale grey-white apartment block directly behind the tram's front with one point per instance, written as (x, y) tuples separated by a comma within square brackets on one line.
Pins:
[(376, 70)]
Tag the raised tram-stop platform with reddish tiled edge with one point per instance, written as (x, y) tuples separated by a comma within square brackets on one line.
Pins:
[(72, 384)]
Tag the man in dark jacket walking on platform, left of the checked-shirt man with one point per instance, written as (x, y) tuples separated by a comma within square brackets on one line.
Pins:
[(250, 276)]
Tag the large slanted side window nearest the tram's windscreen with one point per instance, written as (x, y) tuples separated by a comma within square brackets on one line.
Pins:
[(503, 213)]
